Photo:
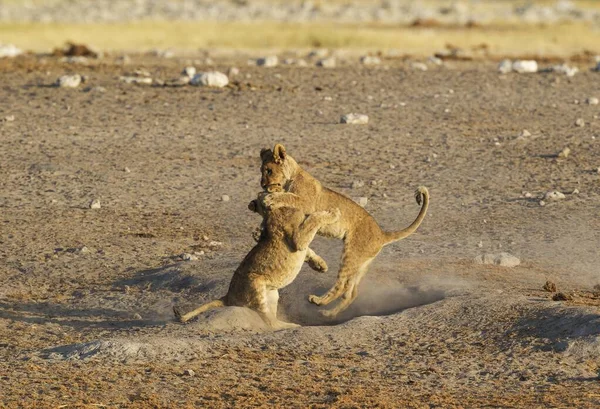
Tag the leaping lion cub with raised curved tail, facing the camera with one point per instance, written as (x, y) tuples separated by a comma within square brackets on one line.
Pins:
[(363, 238)]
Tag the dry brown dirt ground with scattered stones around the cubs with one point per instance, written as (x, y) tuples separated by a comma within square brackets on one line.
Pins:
[(86, 294)]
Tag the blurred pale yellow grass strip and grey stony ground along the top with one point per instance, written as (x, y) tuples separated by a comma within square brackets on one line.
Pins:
[(497, 28)]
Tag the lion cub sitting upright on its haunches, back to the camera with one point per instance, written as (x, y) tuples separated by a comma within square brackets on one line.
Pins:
[(273, 263)]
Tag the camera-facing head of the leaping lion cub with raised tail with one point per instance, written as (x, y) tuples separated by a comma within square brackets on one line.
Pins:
[(276, 169)]
